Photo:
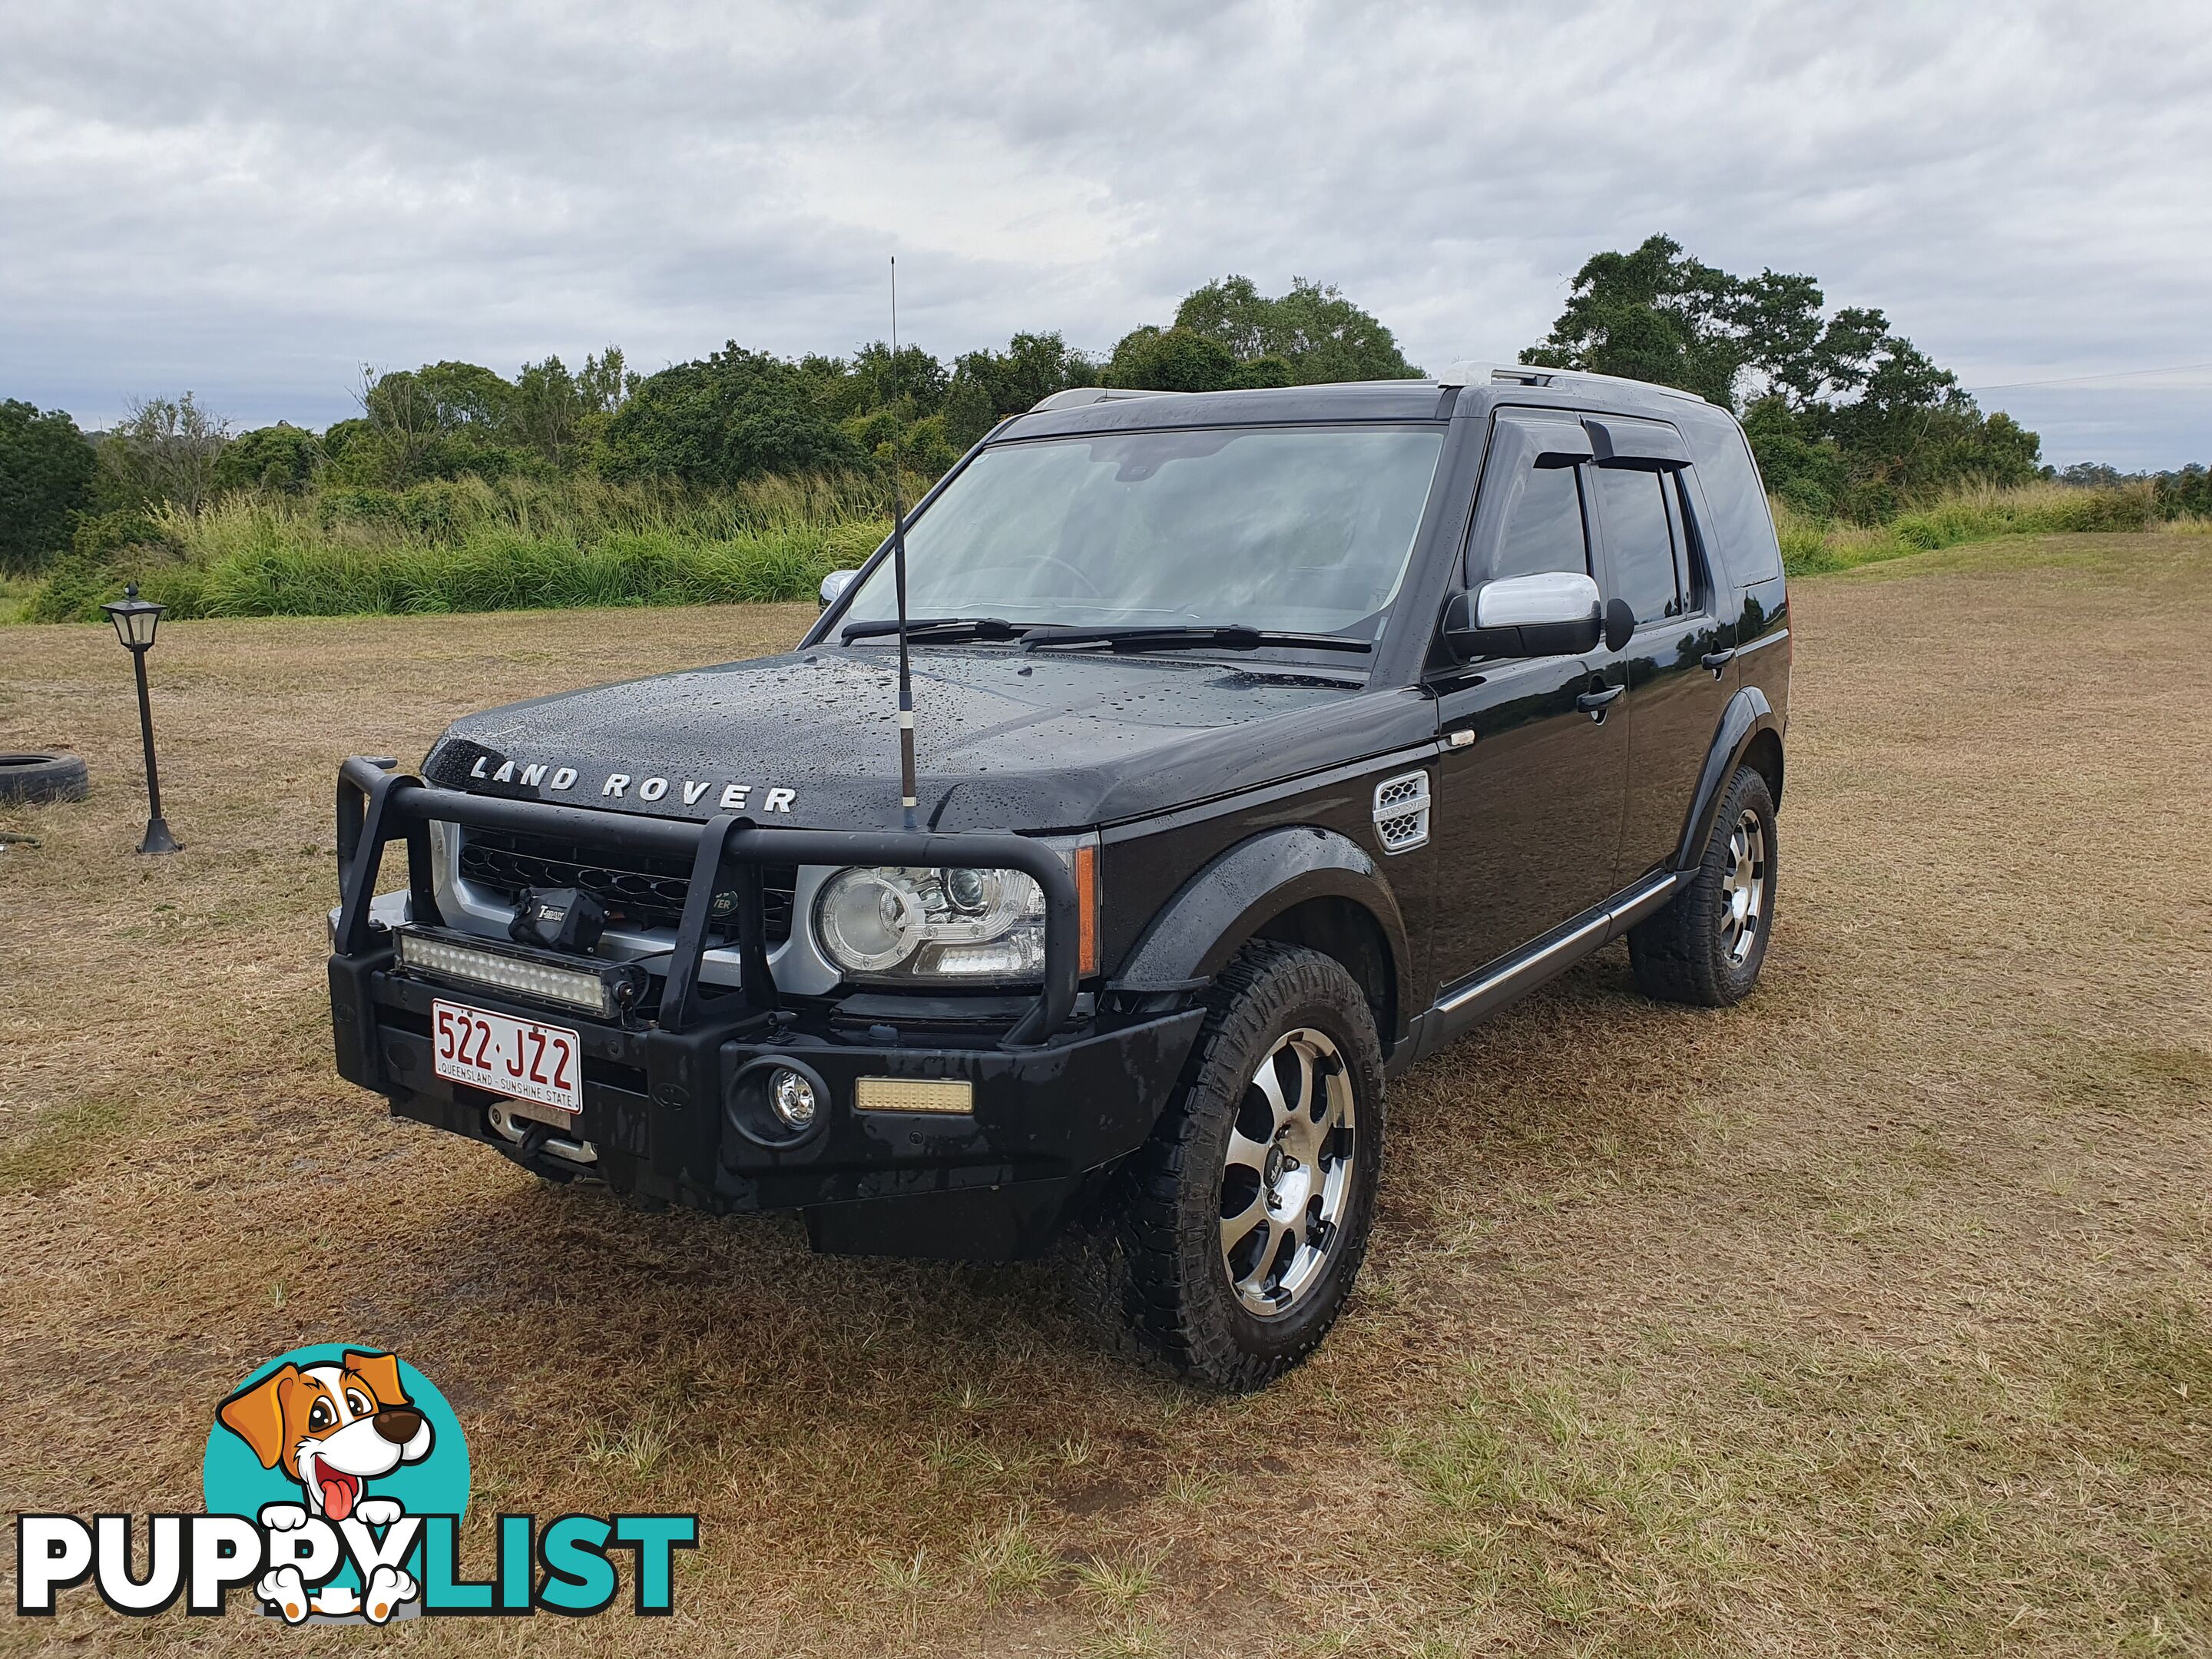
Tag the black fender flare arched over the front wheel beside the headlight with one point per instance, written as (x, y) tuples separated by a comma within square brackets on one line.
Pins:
[(1231, 899)]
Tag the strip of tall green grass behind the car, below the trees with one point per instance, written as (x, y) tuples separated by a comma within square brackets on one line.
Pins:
[(523, 545)]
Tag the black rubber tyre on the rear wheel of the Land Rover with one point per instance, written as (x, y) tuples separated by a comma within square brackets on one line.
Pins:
[(1689, 950)]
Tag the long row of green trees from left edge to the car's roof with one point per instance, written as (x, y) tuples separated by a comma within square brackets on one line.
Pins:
[(716, 424)]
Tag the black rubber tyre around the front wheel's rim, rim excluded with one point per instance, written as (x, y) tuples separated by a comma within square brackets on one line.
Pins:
[(1176, 1277)]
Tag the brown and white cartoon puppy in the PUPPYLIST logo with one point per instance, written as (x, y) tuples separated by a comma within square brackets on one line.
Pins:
[(333, 1430)]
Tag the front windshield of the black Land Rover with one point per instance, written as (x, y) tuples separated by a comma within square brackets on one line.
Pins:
[(1286, 530)]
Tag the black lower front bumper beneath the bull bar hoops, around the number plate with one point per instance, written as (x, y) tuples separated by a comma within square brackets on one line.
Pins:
[(992, 1185)]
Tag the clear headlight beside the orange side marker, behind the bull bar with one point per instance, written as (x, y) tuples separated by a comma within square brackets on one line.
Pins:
[(932, 924)]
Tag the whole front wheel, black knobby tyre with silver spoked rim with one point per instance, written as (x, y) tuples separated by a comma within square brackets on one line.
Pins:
[(1249, 1209)]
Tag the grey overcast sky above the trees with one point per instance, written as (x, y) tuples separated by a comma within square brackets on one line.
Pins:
[(255, 200)]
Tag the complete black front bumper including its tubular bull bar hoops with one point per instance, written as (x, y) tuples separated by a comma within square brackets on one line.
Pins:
[(1054, 1103)]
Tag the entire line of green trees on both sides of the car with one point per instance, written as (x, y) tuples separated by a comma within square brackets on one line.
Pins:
[(1846, 415)]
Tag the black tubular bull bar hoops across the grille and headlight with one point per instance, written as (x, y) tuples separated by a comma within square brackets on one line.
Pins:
[(379, 804)]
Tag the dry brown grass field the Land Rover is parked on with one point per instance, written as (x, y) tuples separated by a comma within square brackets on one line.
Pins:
[(1868, 1317)]
